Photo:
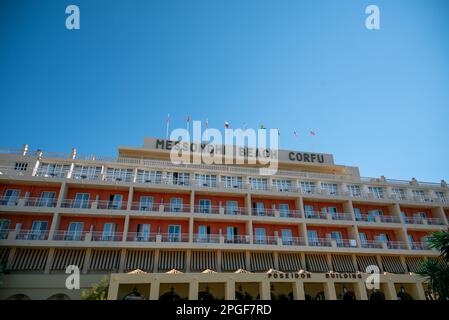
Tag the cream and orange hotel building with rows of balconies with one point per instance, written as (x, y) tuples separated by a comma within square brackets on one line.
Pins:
[(191, 230)]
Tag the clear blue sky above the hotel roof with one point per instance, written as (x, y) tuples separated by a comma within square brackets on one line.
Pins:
[(376, 99)]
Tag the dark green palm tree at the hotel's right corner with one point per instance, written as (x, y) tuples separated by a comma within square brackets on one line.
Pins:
[(437, 272)]
